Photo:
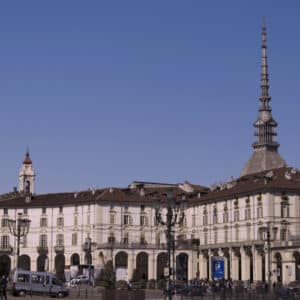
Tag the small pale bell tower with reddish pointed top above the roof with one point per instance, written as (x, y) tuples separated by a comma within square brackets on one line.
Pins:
[(26, 176)]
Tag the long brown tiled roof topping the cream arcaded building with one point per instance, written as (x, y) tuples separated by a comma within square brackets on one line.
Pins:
[(278, 180)]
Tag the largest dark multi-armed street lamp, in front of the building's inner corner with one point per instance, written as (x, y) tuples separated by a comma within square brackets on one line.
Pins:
[(173, 216)]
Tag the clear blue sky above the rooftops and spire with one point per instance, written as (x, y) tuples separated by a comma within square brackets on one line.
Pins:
[(107, 92)]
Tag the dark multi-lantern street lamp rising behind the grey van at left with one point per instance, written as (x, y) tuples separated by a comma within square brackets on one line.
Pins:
[(19, 228)]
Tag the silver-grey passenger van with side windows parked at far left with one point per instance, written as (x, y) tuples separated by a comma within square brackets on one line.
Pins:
[(27, 282)]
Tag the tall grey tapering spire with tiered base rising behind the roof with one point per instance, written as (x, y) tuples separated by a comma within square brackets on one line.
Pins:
[(265, 155)]
